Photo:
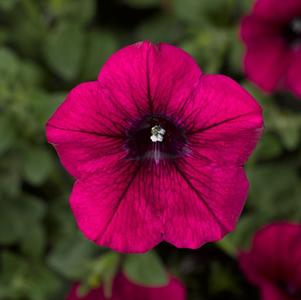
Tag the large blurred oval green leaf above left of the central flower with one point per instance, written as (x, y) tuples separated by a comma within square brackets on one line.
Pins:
[(64, 49)]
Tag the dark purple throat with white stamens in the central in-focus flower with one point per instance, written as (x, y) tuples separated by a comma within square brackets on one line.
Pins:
[(156, 138)]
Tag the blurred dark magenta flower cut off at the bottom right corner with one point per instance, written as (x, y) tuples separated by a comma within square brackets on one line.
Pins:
[(274, 262)]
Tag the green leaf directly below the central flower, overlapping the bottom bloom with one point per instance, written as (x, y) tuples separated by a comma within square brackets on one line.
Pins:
[(145, 269)]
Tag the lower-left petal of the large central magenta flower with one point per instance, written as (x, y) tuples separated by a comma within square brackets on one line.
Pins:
[(119, 207)]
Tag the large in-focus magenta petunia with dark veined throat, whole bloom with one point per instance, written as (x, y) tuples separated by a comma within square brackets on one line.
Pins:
[(157, 149)]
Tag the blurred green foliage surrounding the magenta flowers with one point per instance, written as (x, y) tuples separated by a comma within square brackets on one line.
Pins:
[(49, 46)]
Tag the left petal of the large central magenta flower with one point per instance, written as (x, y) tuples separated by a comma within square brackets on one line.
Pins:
[(87, 131)]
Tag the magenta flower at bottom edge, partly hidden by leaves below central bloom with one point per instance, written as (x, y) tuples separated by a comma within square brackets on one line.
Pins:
[(123, 289)]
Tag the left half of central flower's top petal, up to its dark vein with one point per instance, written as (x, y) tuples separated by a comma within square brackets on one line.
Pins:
[(124, 78)]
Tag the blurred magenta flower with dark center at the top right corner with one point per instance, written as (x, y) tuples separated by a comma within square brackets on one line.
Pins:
[(272, 35)]
